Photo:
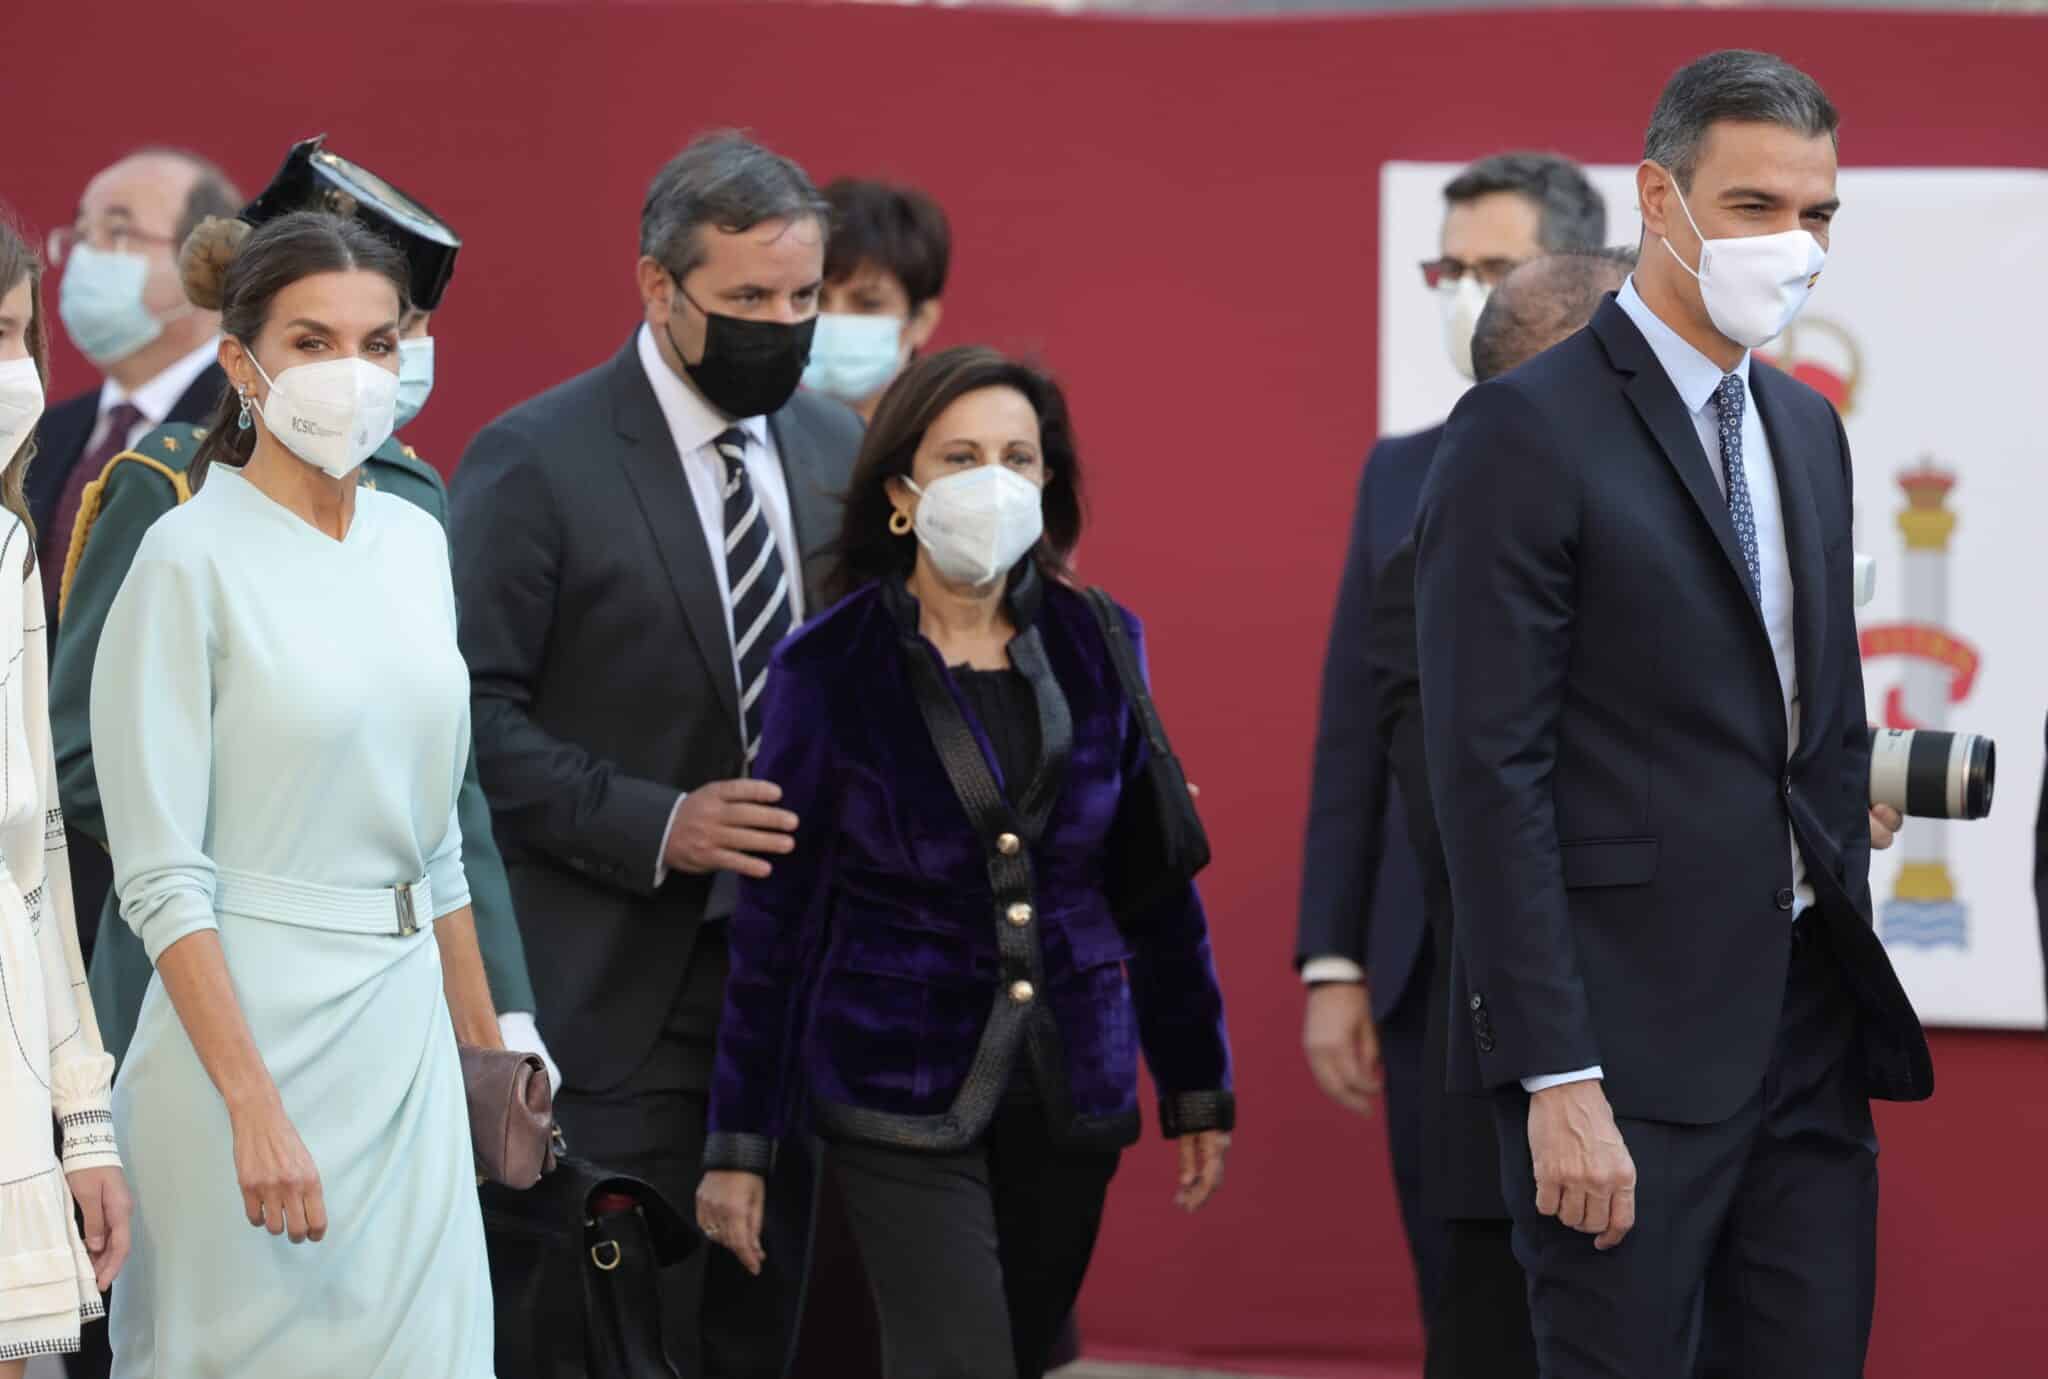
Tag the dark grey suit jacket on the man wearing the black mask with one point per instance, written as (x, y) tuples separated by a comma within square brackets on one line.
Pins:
[(603, 683)]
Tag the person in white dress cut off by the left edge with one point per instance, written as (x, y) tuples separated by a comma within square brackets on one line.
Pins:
[(54, 1077)]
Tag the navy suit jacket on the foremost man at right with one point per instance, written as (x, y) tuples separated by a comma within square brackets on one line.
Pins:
[(1607, 737)]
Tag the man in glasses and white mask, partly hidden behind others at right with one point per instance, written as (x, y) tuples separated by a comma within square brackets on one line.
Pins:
[(1363, 946)]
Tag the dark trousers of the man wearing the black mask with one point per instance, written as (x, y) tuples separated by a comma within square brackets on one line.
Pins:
[(718, 1321)]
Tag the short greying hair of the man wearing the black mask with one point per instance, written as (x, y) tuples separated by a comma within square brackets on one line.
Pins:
[(730, 183)]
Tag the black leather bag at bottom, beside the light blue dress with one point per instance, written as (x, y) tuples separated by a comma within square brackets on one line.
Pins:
[(574, 1273)]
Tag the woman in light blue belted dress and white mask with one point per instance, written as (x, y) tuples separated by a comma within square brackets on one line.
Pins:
[(282, 720)]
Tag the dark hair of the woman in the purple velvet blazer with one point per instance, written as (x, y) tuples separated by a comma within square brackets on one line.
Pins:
[(867, 550)]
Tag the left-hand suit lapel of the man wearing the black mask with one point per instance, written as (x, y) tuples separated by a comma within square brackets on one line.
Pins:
[(656, 474)]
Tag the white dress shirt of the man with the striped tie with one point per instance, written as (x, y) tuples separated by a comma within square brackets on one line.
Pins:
[(693, 425)]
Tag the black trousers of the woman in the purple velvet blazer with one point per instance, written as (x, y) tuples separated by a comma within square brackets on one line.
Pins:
[(978, 1257)]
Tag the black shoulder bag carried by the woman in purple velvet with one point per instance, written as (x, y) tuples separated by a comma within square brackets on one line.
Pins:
[(1158, 841)]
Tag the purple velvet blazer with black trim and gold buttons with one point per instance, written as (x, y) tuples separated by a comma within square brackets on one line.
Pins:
[(923, 939)]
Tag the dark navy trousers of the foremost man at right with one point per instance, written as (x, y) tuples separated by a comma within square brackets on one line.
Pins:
[(1754, 1253)]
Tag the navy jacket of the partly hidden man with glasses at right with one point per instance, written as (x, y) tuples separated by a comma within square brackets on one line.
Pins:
[(1361, 894)]
